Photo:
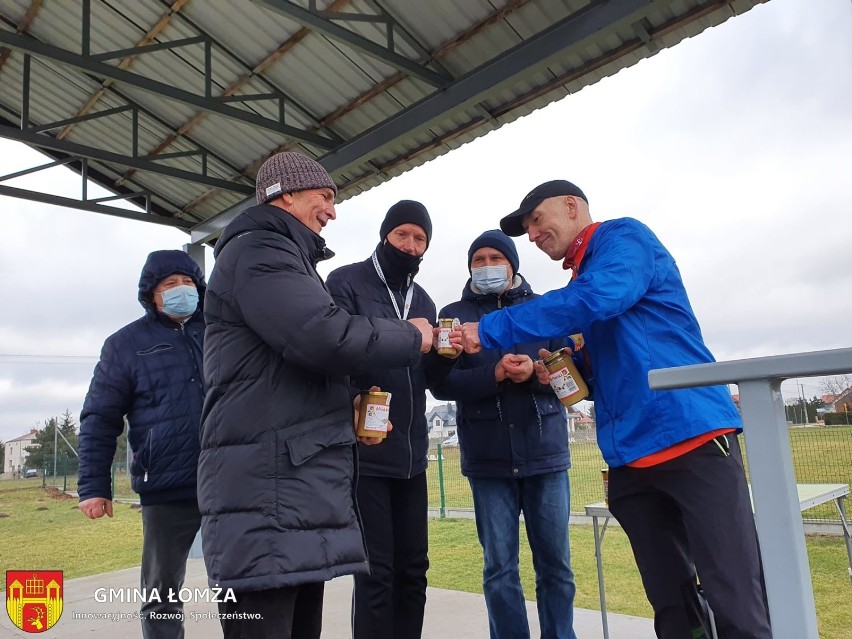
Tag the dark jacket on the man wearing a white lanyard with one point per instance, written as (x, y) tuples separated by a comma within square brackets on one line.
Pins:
[(402, 455)]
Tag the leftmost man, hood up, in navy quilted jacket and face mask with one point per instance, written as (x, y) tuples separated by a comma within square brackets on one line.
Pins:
[(150, 371)]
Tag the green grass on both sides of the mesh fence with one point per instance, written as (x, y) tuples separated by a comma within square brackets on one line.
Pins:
[(42, 528)]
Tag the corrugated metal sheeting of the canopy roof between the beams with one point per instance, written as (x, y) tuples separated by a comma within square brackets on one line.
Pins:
[(324, 79)]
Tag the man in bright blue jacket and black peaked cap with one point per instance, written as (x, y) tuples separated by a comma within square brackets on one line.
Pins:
[(676, 480)]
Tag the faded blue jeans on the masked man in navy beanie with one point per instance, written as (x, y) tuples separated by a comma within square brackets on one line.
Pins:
[(545, 502)]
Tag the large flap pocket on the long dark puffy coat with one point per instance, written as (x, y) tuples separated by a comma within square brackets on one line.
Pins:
[(314, 483)]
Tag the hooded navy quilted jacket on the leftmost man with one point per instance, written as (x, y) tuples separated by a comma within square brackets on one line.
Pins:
[(151, 372)]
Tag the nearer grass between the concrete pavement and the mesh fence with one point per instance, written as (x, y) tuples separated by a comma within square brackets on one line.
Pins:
[(41, 528)]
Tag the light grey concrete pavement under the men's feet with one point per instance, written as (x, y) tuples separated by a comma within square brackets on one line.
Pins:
[(449, 613)]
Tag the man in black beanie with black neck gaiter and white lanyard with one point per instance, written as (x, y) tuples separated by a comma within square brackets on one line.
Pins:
[(388, 603)]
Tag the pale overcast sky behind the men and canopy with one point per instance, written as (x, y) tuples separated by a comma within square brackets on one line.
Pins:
[(734, 147)]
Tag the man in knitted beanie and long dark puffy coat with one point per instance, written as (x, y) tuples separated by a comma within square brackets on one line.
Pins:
[(276, 473)]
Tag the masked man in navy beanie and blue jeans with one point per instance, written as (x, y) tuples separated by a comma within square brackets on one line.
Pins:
[(514, 452)]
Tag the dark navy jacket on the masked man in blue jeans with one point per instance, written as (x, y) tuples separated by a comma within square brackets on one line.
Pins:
[(505, 429)]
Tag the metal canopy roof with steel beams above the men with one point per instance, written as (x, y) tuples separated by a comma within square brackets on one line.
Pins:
[(174, 105)]
